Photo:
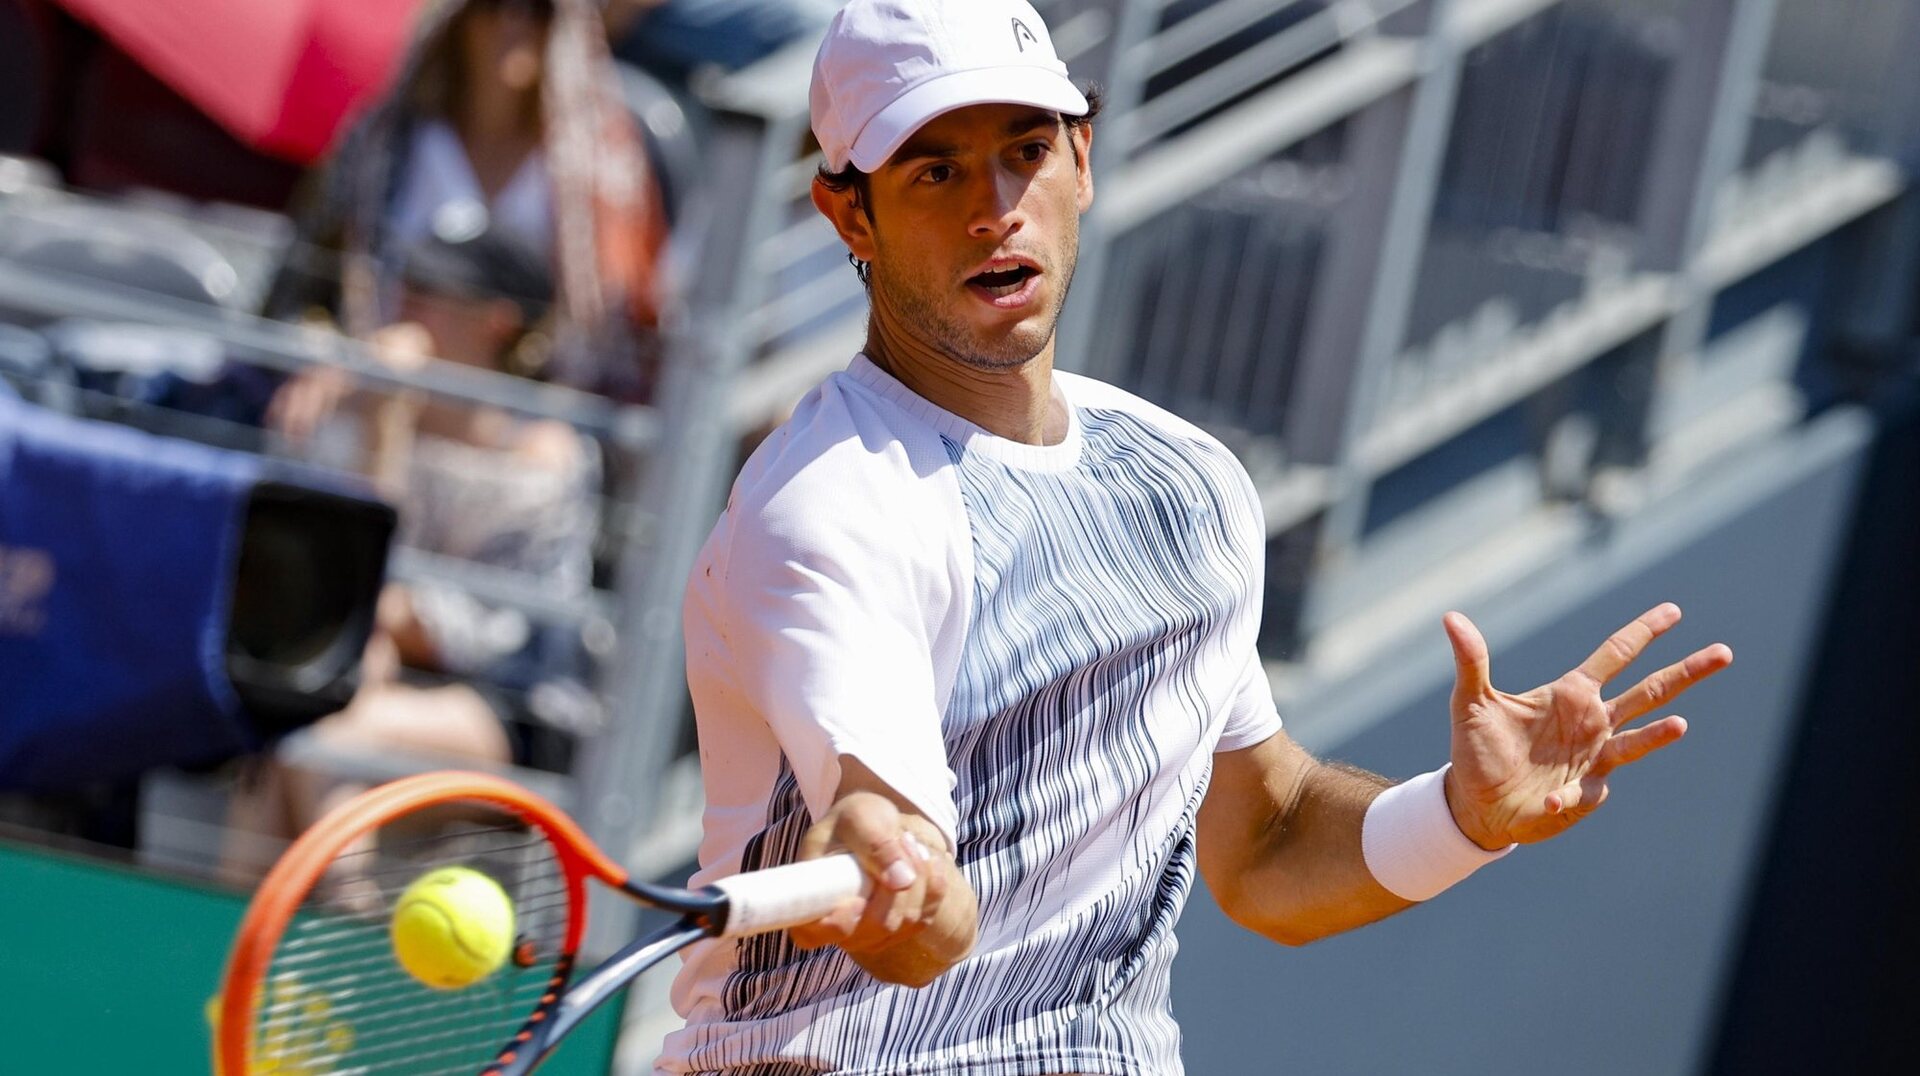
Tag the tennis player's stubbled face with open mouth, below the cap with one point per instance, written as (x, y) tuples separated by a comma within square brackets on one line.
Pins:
[(974, 232)]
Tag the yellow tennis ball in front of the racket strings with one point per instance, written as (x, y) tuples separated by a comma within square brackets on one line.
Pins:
[(452, 927)]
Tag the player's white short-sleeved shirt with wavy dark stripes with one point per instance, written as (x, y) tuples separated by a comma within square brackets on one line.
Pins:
[(1044, 648)]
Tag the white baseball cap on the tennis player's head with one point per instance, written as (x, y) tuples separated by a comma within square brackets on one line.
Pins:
[(890, 66)]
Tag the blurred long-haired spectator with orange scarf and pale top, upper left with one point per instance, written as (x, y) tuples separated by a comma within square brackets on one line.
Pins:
[(508, 110)]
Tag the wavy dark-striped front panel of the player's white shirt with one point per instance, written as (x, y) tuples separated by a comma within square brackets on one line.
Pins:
[(1109, 608)]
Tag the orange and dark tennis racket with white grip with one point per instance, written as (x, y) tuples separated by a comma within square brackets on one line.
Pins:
[(314, 985)]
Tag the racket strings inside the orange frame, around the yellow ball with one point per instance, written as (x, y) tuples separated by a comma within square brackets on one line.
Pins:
[(337, 1000)]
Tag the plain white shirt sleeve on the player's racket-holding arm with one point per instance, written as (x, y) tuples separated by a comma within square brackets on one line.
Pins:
[(834, 597)]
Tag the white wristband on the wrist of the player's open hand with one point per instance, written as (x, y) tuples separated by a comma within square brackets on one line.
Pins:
[(1412, 843)]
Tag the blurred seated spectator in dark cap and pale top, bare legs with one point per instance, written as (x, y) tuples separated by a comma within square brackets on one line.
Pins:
[(448, 675)]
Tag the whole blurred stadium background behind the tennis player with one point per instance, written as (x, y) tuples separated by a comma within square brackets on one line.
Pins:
[(373, 370)]
